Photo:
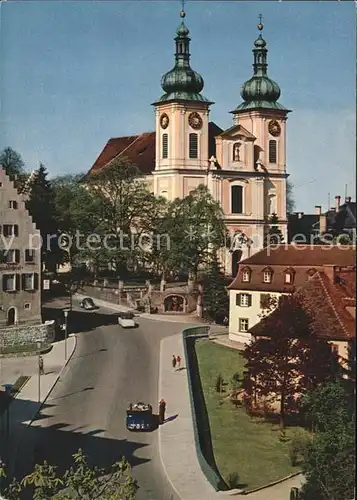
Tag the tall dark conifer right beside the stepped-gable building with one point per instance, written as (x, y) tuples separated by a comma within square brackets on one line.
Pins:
[(41, 206)]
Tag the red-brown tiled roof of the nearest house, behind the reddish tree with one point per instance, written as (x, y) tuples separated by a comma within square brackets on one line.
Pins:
[(325, 302)]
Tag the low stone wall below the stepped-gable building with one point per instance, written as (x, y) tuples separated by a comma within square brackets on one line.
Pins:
[(27, 334)]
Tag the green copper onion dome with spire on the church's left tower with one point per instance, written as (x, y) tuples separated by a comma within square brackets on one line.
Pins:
[(182, 82)]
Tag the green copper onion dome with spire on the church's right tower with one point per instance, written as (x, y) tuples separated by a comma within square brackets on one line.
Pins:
[(260, 91)]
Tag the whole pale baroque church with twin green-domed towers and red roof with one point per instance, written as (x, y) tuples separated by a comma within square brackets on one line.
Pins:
[(243, 167)]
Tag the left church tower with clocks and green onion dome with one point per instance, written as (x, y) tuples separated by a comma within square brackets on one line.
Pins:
[(182, 116)]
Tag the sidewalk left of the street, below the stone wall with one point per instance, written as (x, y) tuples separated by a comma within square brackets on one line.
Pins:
[(27, 403)]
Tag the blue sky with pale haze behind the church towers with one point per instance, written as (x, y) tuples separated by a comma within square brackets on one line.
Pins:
[(74, 74)]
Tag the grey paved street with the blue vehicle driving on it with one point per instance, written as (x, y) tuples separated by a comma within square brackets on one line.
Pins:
[(110, 368)]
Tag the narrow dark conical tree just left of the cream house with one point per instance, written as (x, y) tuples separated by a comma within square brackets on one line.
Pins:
[(215, 295)]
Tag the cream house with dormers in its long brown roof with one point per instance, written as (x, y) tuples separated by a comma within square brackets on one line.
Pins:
[(273, 272)]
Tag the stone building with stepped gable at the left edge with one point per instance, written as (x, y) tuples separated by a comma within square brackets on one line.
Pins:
[(20, 264)]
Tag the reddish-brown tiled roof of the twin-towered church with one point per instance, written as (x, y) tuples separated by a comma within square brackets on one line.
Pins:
[(140, 150)]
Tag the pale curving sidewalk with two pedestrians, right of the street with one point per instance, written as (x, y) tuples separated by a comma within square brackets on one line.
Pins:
[(182, 467)]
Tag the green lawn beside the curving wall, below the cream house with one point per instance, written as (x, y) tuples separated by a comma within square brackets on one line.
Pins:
[(242, 445)]
